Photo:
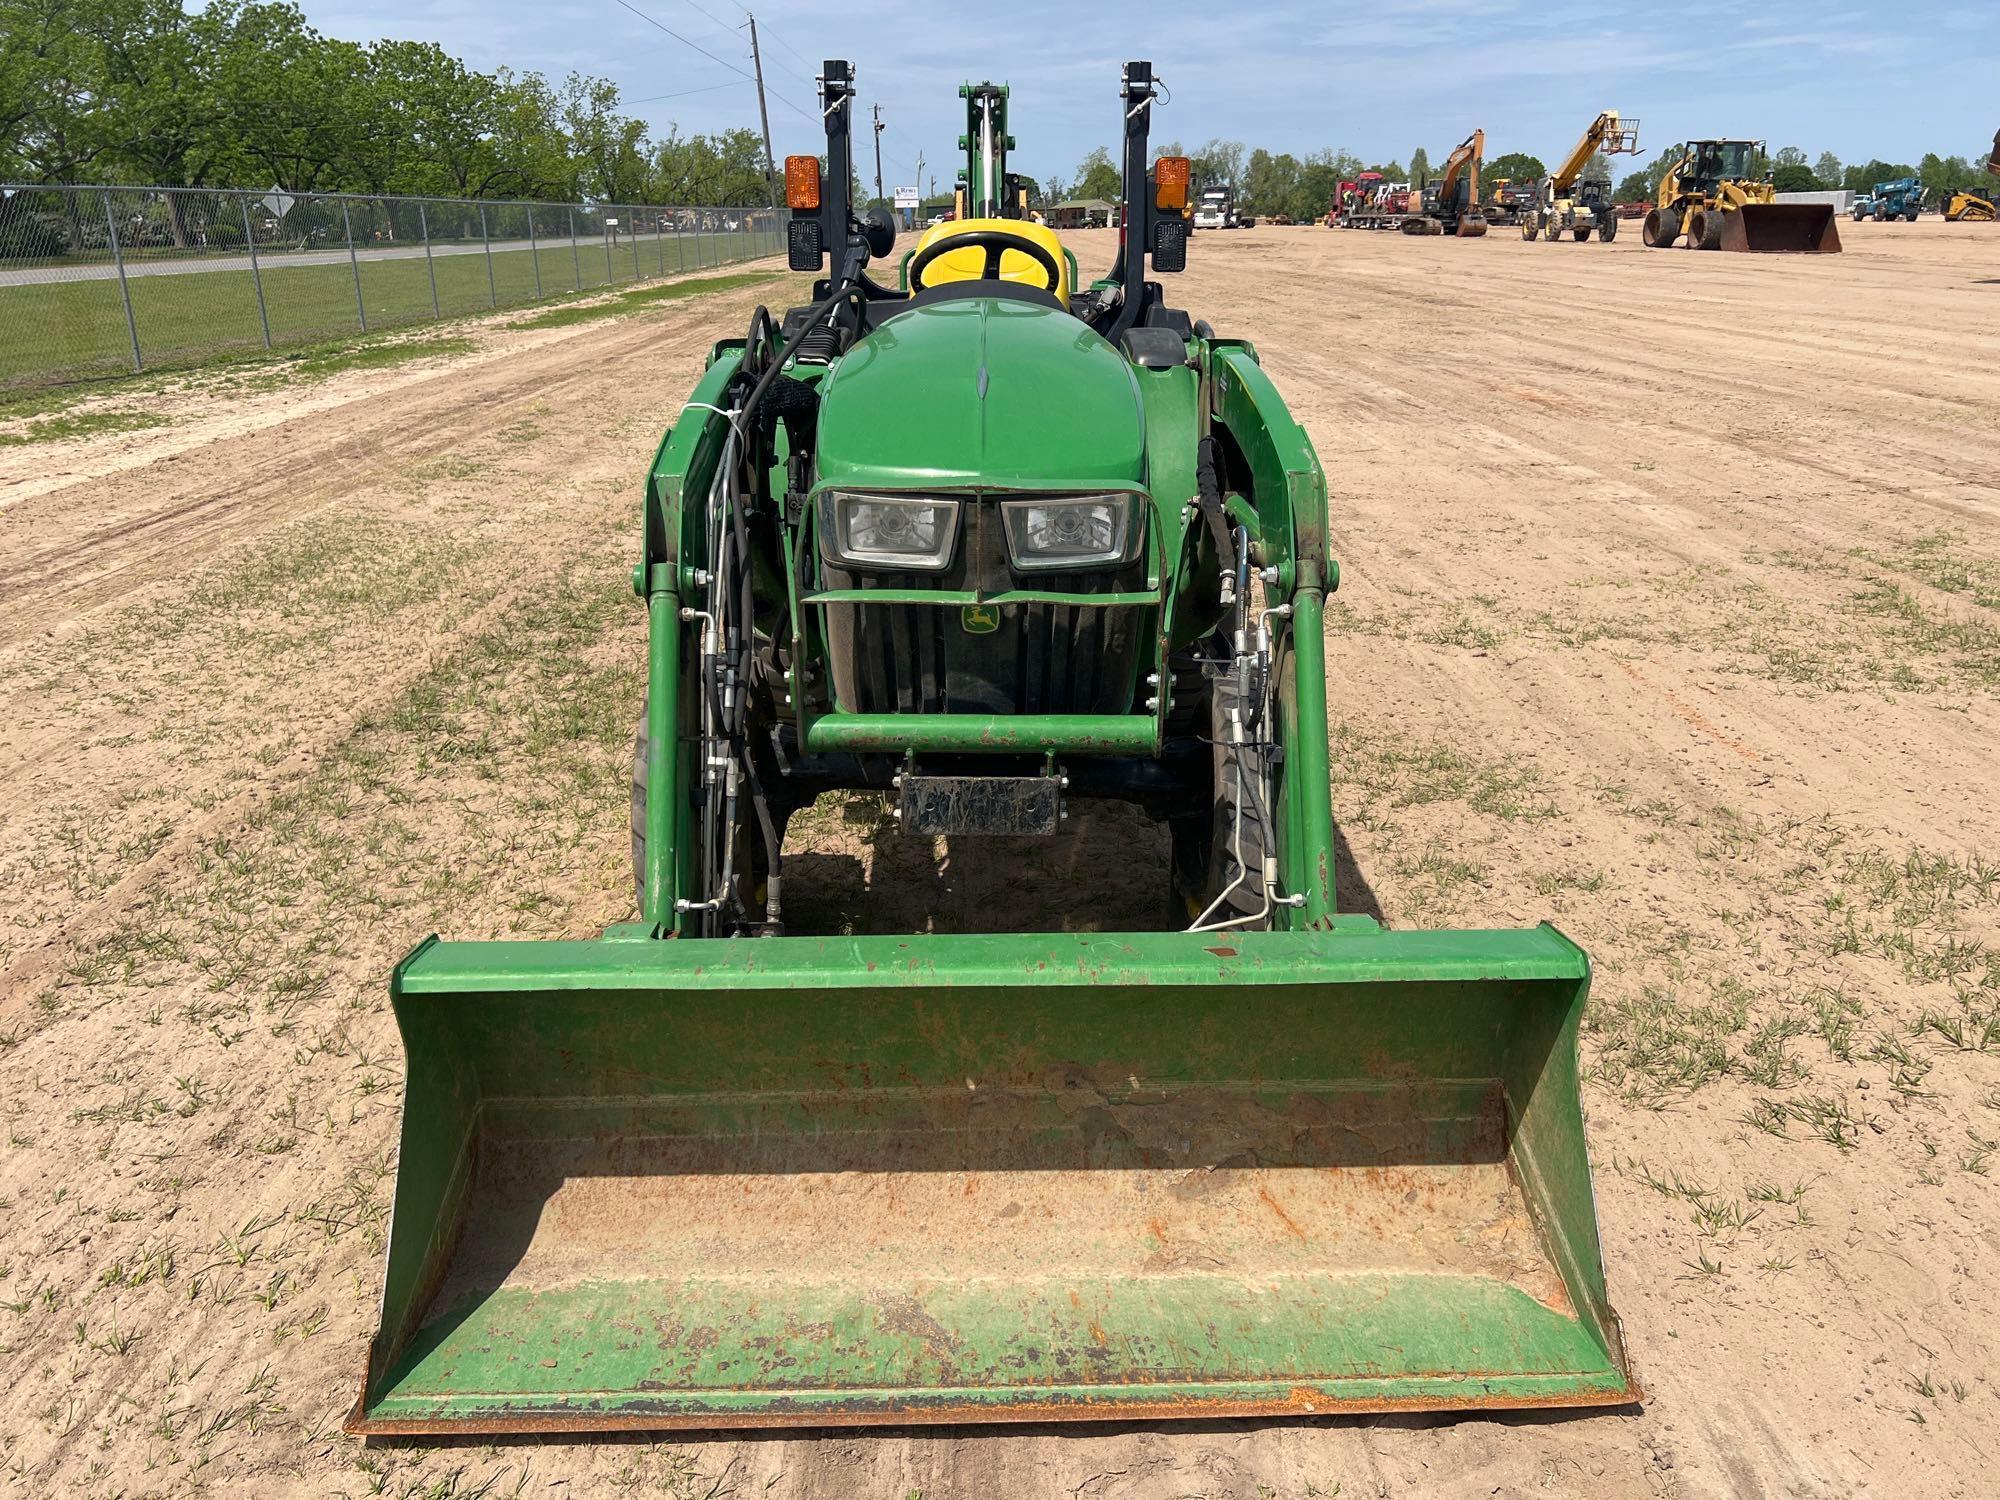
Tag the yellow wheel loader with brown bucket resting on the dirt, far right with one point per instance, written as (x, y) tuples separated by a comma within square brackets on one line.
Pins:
[(1723, 201)]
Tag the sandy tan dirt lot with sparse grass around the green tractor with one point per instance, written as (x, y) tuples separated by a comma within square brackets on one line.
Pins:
[(1671, 611)]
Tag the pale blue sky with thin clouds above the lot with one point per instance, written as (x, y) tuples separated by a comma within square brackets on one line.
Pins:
[(1861, 79)]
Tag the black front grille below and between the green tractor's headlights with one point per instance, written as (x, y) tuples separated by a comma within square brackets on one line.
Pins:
[(1039, 659)]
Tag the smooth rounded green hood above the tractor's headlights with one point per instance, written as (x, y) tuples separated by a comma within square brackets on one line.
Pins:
[(983, 393)]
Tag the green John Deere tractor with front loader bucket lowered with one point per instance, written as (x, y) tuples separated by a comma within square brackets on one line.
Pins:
[(987, 543)]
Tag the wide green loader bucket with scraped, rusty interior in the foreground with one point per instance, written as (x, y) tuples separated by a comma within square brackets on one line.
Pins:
[(957, 1179)]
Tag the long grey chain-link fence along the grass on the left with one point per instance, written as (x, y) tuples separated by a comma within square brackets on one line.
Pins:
[(111, 281)]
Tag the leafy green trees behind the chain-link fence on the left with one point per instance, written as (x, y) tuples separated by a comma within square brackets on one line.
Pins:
[(245, 93)]
